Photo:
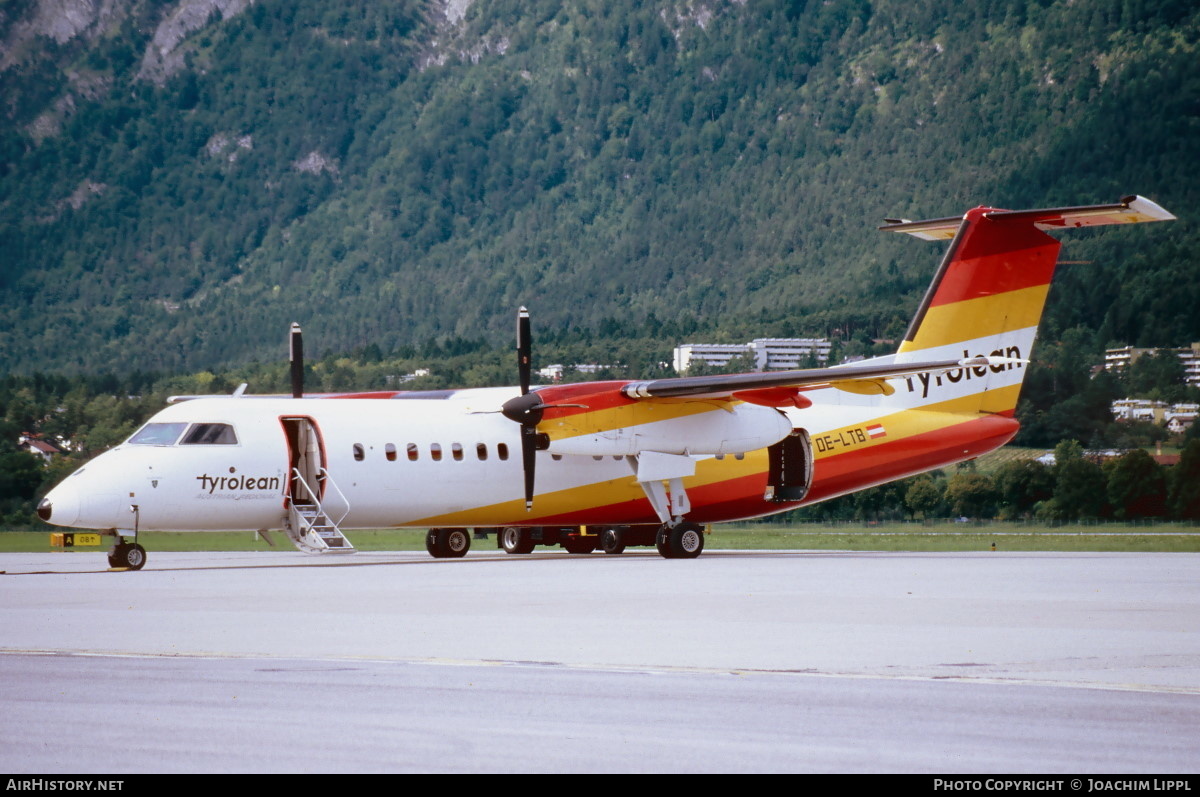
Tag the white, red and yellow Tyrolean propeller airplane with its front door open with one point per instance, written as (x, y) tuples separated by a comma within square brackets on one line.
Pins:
[(603, 464)]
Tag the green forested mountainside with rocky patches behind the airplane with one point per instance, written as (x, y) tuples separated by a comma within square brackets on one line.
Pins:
[(181, 179)]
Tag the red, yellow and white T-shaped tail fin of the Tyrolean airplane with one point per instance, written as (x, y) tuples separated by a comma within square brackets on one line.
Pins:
[(991, 290)]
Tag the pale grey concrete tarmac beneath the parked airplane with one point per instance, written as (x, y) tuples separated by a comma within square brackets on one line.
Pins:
[(736, 662)]
